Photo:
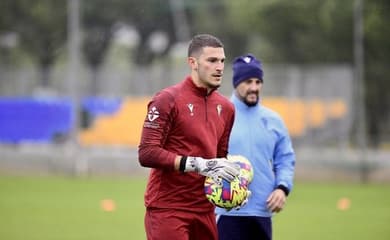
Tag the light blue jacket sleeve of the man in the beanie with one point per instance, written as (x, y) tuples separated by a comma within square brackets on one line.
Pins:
[(284, 159)]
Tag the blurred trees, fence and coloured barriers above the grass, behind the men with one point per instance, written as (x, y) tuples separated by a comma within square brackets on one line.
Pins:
[(76, 75)]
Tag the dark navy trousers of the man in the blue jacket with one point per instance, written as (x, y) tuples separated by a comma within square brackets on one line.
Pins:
[(238, 227)]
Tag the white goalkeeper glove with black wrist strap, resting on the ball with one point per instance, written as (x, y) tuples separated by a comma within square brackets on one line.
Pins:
[(215, 168)]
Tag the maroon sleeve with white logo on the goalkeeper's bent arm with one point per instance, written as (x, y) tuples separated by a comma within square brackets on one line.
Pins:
[(155, 129)]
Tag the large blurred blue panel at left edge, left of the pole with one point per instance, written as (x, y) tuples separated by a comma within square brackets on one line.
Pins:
[(34, 120)]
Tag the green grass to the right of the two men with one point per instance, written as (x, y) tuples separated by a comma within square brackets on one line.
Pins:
[(312, 213)]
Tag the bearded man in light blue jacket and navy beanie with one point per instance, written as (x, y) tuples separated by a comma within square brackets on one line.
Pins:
[(260, 135)]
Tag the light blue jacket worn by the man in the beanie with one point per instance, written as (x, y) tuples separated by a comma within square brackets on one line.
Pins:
[(260, 135)]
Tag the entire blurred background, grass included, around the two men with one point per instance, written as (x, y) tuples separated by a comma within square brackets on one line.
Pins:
[(76, 76)]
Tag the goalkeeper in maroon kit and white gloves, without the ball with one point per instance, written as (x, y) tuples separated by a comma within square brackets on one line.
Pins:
[(185, 138)]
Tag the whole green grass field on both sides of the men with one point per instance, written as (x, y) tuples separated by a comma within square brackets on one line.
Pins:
[(54, 208)]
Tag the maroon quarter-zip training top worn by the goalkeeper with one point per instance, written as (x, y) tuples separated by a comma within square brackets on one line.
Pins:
[(183, 120)]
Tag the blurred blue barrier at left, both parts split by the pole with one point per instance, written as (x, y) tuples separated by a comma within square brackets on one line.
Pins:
[(28, 119)]
